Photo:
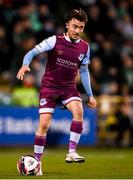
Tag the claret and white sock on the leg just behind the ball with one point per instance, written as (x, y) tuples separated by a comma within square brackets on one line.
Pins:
[(39, 144)]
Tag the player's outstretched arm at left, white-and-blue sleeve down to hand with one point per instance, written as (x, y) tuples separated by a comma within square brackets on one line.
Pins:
[(44, 46)]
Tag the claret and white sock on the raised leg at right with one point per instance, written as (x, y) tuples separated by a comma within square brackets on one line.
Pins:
[(75, 133)]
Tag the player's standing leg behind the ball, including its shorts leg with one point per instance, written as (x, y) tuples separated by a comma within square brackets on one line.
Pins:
[(46, 109)]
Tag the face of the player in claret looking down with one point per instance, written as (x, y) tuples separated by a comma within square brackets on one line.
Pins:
[(75, 28)]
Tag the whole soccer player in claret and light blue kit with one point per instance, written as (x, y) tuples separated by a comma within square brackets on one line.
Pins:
[(67, 54)]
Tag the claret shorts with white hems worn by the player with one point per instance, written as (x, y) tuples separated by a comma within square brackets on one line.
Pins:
[(50, 97)]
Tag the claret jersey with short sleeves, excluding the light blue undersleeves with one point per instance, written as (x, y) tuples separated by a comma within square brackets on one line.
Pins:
[(64, 59)]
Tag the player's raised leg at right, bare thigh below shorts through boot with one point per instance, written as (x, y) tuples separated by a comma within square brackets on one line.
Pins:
[(75, 130)]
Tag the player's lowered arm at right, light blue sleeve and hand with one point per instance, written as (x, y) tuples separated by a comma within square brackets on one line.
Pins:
[(85, 79)]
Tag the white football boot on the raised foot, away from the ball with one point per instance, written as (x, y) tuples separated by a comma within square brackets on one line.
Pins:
[(74, 157)]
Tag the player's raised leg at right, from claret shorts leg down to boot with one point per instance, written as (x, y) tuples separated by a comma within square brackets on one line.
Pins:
[(72, 100)]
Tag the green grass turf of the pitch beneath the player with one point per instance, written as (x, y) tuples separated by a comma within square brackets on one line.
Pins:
[(101, 163)]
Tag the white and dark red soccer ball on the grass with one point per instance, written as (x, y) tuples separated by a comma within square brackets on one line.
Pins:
[(28, 165)]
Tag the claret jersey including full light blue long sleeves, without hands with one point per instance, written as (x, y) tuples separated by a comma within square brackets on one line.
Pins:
[(64, 60)]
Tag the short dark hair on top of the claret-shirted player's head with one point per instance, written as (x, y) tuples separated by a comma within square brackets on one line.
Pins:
[(77, 14)]
